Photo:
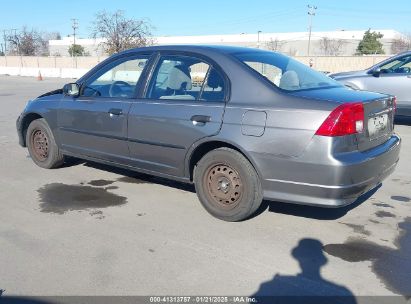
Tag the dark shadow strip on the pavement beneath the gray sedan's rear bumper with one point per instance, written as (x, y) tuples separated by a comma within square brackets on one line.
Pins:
[(319, 213)]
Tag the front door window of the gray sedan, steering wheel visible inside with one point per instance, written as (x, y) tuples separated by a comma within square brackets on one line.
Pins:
[(119, 80)]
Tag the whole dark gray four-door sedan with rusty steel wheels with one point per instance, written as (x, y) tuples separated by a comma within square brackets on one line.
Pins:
[(242, 124)]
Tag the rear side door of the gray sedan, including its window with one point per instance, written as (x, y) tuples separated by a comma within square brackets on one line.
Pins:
[(184, 101)]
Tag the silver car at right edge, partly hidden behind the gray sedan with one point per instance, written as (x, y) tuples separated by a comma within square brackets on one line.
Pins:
[(391, 76)]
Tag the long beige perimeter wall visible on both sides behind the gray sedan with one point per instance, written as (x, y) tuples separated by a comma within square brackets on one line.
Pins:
[(67, 67)]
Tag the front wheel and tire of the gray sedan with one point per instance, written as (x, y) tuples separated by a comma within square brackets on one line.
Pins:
[(42, 146)]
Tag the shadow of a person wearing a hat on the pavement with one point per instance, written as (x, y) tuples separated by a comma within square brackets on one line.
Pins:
[(308, 286)]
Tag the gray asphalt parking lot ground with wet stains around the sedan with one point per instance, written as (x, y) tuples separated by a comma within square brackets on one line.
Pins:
[(88, 229)]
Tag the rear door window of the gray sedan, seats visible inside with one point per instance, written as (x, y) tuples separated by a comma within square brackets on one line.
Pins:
[(186, 78)]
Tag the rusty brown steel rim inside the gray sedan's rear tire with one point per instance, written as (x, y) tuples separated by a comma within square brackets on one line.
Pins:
[(224, 185)]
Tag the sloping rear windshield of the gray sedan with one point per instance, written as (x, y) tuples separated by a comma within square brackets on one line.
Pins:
[(285, 72)]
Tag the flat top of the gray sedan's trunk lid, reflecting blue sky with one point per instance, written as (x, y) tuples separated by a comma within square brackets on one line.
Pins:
[(338, 94)]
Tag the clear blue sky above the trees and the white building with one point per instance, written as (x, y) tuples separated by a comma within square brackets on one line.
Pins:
[(181, 17)]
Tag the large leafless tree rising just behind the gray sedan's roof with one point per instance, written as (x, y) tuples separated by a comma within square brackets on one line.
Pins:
[(121, 33)]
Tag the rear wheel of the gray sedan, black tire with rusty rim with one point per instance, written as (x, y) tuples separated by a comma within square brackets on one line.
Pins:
[(227, 185)]
